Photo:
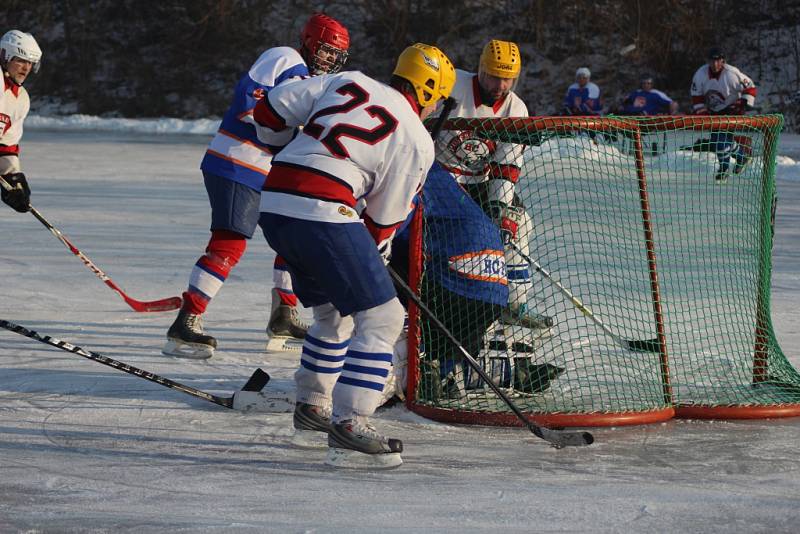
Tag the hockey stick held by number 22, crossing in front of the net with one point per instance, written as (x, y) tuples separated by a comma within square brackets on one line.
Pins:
[(557, 438)]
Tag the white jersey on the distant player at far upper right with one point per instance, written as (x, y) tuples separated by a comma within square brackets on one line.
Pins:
[(717, 92)]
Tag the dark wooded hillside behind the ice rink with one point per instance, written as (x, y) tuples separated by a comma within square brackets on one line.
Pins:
[(181, 58)]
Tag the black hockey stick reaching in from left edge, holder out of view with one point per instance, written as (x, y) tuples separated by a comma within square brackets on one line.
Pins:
[(256, 382)]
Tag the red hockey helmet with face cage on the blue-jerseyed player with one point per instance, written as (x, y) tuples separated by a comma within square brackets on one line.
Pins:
[(324, 44)]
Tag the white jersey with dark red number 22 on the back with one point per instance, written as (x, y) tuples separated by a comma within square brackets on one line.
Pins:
[(361, 141)]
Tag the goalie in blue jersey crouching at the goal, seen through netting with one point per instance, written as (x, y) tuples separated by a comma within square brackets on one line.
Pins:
[(466, 288)]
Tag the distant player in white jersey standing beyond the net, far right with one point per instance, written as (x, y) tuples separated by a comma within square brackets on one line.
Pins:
[(722, 89)]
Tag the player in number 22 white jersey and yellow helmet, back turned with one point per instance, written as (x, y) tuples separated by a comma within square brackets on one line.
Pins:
[(362, 145)]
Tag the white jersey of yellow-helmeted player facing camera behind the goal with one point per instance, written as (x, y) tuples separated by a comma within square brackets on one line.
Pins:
[(472, 158)]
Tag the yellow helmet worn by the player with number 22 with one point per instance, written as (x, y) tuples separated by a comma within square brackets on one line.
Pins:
[(428, 70)]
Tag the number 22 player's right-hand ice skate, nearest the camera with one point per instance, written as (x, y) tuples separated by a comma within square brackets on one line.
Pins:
[(355, 443)]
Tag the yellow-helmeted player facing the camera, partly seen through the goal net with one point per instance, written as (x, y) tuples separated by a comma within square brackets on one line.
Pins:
[(489, 171)]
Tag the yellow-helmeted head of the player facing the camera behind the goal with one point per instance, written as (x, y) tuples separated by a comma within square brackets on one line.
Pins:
[(498, 71)]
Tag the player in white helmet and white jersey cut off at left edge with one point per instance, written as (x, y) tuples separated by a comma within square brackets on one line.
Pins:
[(19, 56)]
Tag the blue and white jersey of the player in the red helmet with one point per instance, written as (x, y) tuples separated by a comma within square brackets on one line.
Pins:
[(236, 152)]
